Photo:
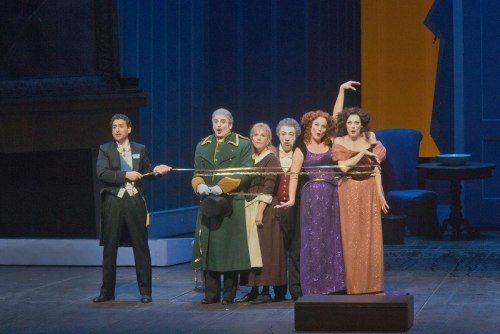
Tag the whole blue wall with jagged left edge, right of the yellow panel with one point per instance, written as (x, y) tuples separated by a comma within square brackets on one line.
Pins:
[(477, 103)]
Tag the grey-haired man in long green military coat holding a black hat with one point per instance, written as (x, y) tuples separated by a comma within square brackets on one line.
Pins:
[(220, 246)]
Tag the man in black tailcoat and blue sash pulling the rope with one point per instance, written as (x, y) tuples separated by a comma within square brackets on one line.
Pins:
[(121, 165)]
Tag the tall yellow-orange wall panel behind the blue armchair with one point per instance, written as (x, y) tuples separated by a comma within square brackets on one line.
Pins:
[(398, 66)]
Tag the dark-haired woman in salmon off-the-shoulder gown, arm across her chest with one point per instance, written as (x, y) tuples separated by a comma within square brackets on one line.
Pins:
[(361, 200)]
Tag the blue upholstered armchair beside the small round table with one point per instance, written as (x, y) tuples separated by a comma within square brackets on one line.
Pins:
[(399, 177)]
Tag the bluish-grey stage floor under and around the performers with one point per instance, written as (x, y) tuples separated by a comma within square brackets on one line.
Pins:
[(456, 287)]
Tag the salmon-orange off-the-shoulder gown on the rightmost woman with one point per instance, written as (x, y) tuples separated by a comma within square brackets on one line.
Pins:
[(361, 225)]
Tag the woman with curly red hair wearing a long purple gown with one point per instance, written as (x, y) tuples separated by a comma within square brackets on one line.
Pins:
[(321, 259)]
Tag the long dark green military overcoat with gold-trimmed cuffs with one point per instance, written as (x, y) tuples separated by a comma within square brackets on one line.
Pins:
[(220, 244)]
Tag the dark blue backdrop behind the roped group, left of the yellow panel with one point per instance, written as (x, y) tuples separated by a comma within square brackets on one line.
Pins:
[(263, 60)]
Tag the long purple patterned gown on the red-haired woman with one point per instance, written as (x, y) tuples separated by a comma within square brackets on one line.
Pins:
[(321, 259)]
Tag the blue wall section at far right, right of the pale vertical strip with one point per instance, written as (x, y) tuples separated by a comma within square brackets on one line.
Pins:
[(481, 100)]
